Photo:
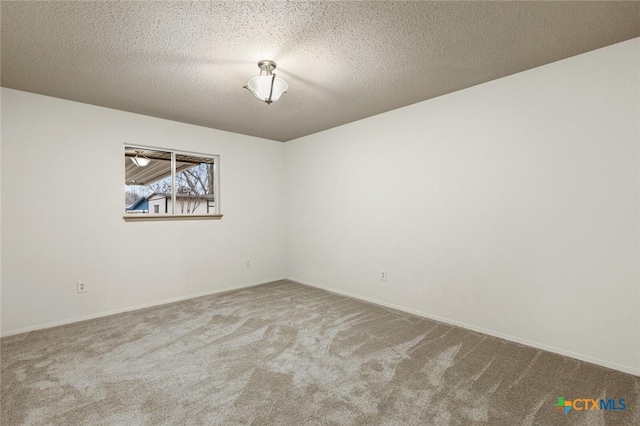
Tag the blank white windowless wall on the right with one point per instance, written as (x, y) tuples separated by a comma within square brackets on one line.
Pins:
[(511, 207)]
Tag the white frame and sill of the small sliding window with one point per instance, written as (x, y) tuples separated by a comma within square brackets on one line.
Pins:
[(173, 216)]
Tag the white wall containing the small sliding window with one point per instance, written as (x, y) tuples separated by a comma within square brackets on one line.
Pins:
[(62, 195)]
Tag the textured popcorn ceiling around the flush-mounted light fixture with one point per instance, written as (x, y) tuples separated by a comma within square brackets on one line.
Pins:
[(343, 60)]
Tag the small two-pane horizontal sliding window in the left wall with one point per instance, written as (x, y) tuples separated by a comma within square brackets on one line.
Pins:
[(162, 184)]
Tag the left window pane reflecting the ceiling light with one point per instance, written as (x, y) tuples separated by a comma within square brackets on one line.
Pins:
[(147, 182)]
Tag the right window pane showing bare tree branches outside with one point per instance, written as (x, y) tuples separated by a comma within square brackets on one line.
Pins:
[(195, 185)]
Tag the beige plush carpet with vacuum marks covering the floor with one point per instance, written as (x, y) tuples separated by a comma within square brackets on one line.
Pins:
[(287, 354)]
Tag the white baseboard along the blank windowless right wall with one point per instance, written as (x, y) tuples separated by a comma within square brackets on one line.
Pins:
[(581, 357)]
